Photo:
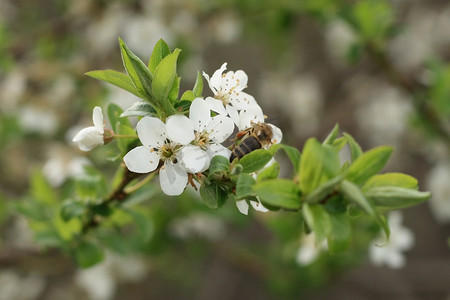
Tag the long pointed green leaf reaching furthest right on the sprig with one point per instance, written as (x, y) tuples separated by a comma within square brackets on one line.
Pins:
[(392, 197)]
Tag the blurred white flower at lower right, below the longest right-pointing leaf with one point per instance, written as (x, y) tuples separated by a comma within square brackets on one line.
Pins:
[(401, 239)]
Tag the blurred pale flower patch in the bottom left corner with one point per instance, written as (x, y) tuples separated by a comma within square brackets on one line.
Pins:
[(23, 287)]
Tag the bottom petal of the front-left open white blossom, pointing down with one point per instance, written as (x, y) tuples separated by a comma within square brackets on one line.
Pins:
[(173, 179)]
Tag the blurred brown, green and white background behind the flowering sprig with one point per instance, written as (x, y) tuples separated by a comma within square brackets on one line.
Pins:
[(379, 69)]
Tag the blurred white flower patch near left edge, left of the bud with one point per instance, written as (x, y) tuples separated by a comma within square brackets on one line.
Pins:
[(38, 120)]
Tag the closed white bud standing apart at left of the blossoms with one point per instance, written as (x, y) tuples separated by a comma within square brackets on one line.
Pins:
[(90, 137)]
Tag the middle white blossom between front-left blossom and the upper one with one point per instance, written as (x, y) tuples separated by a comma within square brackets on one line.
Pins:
[(209, 133)]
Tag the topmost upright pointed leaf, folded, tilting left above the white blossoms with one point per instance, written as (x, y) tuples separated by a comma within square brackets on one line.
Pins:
[(139, 73)]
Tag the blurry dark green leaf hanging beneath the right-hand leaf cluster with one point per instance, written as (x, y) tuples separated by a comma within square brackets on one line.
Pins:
[(341, 233)]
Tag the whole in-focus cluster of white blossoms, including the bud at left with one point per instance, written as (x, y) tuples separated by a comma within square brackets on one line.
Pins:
[(185, 145)]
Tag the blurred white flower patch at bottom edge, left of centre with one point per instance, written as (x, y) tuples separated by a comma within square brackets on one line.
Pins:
[(100, 282)]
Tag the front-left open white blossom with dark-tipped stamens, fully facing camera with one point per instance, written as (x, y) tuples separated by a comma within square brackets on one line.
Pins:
[(162, 142)]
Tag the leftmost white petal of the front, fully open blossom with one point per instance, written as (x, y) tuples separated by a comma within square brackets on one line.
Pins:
[(141, 159)]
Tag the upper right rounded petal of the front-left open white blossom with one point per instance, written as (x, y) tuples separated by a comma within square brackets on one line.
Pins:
[(180, 129)]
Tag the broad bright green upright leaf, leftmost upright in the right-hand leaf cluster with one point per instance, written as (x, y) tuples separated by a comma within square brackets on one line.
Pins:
[(318, 164)]
